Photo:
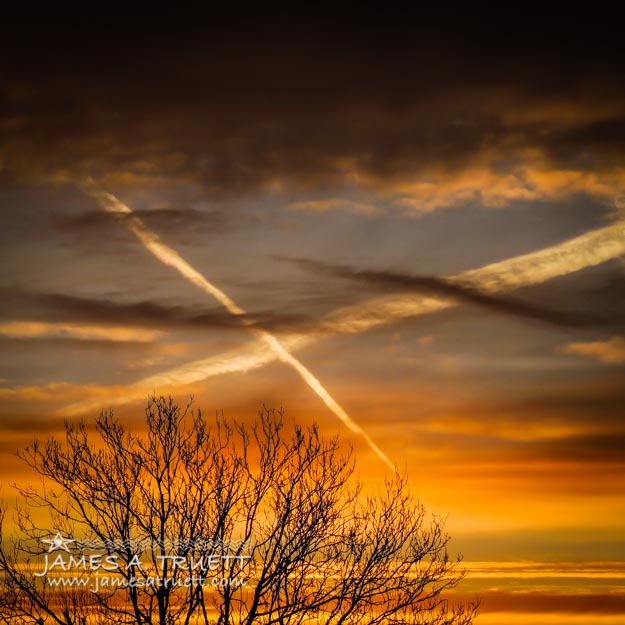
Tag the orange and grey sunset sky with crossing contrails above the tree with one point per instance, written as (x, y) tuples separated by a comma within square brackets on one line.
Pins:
[(428, 216)]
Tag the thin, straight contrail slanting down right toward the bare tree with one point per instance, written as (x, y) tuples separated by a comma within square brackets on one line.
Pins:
[(170, 257)]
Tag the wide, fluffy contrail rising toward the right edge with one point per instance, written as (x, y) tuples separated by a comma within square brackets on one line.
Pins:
[(587, 250)]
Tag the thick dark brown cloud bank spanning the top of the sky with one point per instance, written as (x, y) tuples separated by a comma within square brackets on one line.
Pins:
[(246, 104)]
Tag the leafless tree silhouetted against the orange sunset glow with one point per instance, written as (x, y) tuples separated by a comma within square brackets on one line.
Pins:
[(183, 523)]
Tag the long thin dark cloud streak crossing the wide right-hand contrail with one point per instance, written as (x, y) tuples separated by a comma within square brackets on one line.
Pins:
[(393, 282)]
